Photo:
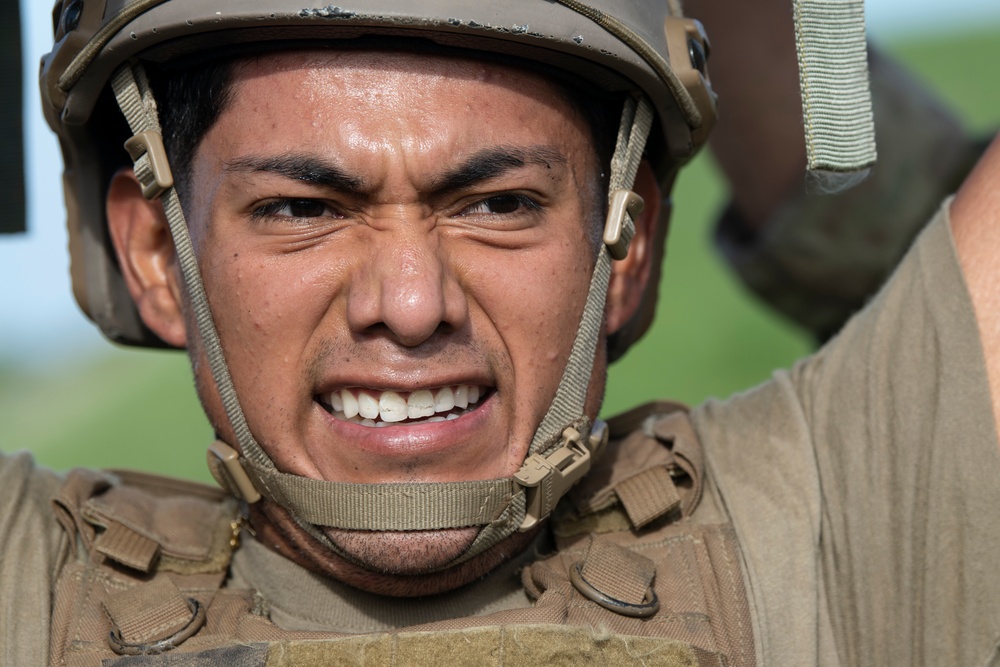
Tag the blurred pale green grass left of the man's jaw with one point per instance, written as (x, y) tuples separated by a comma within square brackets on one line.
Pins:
[(128, 409)]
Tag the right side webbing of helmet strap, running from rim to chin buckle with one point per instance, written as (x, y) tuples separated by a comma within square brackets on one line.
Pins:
[(568, 404)]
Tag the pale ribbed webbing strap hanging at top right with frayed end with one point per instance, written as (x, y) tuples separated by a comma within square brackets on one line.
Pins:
[(836, 100)]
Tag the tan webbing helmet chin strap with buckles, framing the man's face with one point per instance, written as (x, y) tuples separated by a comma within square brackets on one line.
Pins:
[(561, 451)]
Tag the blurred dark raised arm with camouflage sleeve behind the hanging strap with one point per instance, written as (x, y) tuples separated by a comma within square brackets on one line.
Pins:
[(817, 259)]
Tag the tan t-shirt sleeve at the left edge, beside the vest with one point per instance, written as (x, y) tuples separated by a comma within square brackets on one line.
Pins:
[(30, 541)]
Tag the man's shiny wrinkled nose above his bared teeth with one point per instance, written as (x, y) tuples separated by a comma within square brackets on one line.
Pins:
[(406, 290)]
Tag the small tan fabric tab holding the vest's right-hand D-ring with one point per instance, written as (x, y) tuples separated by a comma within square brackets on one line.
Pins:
[(617, 572)]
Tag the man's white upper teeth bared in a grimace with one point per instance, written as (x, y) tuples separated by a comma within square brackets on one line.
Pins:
[(391, 406)]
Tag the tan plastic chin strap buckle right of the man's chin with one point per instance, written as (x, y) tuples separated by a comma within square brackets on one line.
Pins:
[(546, 479)]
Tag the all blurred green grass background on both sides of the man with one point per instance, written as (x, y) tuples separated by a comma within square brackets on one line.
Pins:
[(138, 409)]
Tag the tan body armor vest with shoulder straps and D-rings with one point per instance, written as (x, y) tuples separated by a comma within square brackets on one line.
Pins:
[(647, 571)]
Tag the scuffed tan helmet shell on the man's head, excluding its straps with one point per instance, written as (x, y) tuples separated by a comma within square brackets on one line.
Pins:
[(619, 46)]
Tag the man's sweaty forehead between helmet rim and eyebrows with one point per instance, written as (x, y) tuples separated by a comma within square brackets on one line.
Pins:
[(400, 92)]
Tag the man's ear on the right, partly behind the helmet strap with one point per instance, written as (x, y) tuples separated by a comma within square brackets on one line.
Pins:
[(630, 275)]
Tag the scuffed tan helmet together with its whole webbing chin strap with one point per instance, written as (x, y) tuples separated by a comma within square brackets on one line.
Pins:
[(644, 51)]
